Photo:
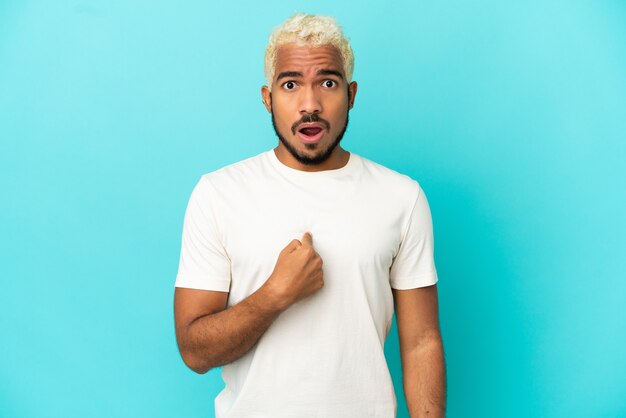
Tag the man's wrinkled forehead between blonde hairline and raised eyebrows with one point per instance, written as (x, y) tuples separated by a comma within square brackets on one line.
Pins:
[(294, 56)]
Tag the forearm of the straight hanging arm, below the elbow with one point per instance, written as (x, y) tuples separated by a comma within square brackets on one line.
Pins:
[(424, 379)]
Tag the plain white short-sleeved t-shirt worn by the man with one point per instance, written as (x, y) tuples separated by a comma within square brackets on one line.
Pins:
[(324, 355)]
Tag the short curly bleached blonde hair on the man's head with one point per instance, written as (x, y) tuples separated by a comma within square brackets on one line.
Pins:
[(309, 30)]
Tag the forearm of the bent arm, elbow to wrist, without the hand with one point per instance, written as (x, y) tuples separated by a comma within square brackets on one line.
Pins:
[(220, 338)]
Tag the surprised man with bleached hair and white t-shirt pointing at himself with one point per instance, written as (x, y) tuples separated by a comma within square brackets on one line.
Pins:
[(292, 260)]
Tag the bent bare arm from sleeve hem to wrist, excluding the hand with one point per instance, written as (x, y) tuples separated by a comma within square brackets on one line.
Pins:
[(209, 335)]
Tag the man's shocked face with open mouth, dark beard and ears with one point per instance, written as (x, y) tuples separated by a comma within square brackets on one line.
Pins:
[(310, 101)]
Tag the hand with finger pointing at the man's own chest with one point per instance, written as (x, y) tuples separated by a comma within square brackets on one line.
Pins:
[(297, 274)]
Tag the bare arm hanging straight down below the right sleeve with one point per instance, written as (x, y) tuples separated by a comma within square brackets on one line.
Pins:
[(421, 351)]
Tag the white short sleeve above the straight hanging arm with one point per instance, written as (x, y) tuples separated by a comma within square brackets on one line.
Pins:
[(414, 264)]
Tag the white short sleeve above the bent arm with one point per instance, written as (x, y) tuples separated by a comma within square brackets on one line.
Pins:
[(203, 263)]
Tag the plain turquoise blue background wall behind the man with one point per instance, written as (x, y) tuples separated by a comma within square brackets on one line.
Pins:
[(511, 115)]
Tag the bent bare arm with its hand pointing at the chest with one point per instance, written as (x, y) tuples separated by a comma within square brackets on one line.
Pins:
[(209, 335)]
